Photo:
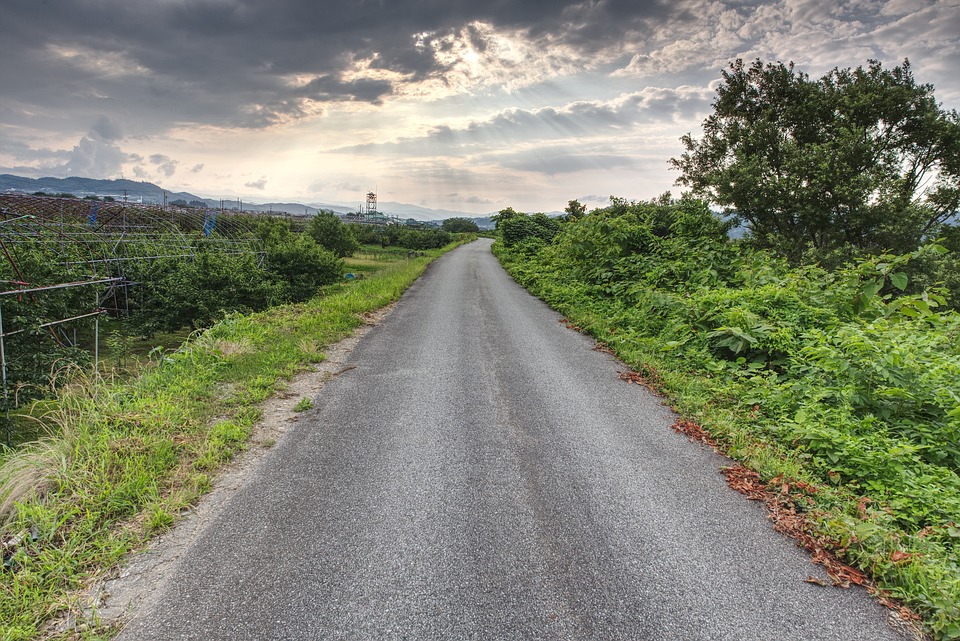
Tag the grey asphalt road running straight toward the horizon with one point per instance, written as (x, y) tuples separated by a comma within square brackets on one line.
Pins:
[(484, 474)]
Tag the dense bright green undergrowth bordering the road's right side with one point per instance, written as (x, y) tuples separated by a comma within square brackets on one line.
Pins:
[(847, 378)]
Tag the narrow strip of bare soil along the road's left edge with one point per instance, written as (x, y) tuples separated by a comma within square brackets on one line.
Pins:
[(113, 600)]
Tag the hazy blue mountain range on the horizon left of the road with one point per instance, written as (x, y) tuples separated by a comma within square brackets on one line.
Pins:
[(149, 193)]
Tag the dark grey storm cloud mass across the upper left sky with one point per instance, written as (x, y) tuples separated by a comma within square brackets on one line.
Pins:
[(228, 62)]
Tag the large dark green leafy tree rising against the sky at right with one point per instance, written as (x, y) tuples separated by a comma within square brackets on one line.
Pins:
[(862, 159)]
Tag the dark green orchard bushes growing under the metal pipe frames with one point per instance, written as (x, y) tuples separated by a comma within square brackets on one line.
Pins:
[(193, 289)]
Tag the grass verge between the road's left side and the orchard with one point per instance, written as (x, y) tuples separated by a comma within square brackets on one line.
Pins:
[(124, 459)]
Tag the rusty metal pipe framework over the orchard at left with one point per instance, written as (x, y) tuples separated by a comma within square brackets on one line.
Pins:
[(96, 241)]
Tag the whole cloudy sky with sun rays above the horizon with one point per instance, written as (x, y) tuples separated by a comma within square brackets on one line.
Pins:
[(468, 105)]
